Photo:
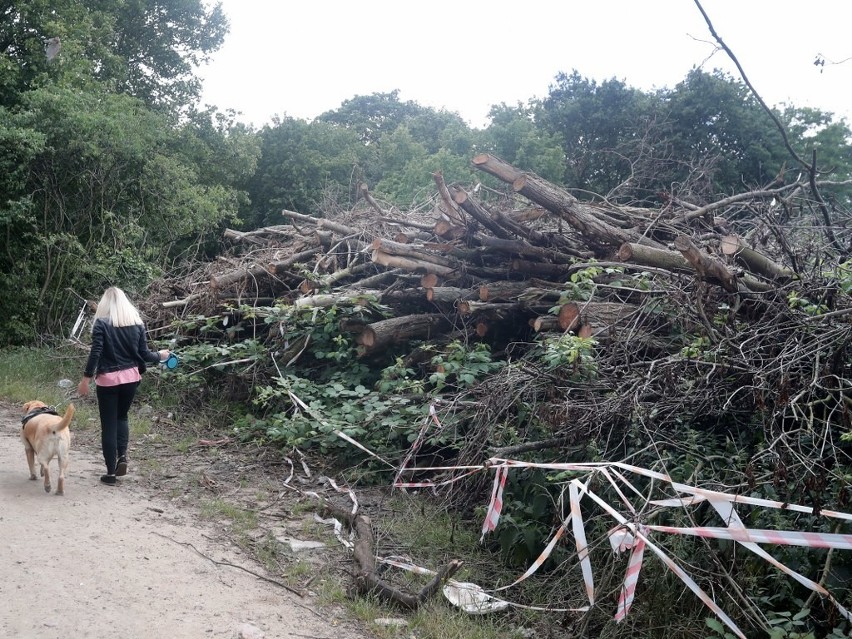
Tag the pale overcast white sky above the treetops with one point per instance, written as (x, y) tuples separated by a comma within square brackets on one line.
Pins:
[(302, 58)]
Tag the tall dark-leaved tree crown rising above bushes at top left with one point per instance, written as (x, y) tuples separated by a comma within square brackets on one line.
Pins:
[(143, 48)]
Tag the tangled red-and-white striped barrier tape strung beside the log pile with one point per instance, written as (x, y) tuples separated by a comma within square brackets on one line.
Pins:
[(630, 534)]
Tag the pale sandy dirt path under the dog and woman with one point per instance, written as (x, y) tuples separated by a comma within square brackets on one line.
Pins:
[(121, 562)]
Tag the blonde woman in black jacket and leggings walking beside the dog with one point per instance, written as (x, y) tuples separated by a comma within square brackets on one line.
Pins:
[(116, 360)]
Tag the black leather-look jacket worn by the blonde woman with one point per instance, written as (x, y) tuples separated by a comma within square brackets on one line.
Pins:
[(117, 348)]
